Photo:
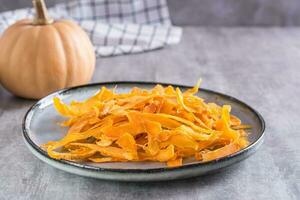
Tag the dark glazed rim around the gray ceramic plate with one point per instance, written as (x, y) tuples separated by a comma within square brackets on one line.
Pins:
[(150, 170)]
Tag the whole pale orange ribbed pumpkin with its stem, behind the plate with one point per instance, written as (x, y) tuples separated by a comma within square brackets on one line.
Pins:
[(40, 56)]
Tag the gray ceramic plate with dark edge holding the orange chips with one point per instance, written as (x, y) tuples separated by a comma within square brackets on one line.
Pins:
[(40, 126)]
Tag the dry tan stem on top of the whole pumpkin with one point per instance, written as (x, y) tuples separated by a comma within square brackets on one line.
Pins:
[(41, 13)]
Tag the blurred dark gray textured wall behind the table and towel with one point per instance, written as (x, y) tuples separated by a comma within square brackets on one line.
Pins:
[(216, 12)]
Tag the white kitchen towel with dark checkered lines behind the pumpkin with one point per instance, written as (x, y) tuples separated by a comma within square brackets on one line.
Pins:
[(115, 26)]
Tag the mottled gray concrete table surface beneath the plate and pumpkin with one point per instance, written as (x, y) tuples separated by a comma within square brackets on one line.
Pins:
[(260, 66)]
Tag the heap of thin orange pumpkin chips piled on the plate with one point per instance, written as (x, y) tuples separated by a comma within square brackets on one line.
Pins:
[(162, 124)]
